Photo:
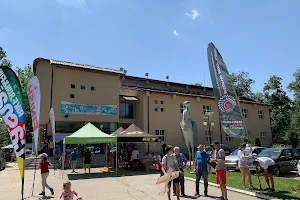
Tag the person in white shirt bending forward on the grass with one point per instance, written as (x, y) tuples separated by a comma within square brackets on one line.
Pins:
[(265, 167)]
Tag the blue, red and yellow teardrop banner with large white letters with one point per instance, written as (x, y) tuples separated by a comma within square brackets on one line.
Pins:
[(12, 109)]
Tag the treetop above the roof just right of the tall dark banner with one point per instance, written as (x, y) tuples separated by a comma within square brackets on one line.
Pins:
[(242, 83)]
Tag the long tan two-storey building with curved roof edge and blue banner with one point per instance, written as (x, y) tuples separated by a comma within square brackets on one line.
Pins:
[(155, 106)]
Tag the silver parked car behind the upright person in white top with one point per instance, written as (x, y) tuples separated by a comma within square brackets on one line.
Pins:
[(232, 160)]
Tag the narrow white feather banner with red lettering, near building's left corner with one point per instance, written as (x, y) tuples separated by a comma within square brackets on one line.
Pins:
[(34, 97)]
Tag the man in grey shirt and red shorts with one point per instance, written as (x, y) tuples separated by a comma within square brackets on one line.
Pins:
[(219, 159)]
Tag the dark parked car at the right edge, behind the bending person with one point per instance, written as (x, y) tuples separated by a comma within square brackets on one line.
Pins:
[(286, 159)]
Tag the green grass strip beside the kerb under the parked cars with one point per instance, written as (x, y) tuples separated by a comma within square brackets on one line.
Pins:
[(286, 188)]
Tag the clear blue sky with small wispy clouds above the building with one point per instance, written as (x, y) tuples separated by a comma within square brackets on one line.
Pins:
[(162, 38)]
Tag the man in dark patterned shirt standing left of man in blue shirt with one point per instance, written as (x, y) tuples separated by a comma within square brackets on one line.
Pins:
[(181, 163)]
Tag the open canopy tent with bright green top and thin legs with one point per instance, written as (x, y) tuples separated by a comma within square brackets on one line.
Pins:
[(89, 134)]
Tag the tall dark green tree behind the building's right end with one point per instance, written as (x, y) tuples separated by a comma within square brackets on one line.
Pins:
[(281, 107)]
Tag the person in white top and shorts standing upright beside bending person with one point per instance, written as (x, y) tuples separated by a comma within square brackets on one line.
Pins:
[(243, 158)]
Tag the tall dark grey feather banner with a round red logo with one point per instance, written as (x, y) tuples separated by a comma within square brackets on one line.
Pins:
[(227, 100)]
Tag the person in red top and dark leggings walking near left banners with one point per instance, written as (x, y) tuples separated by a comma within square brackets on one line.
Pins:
[(44, 165)]
